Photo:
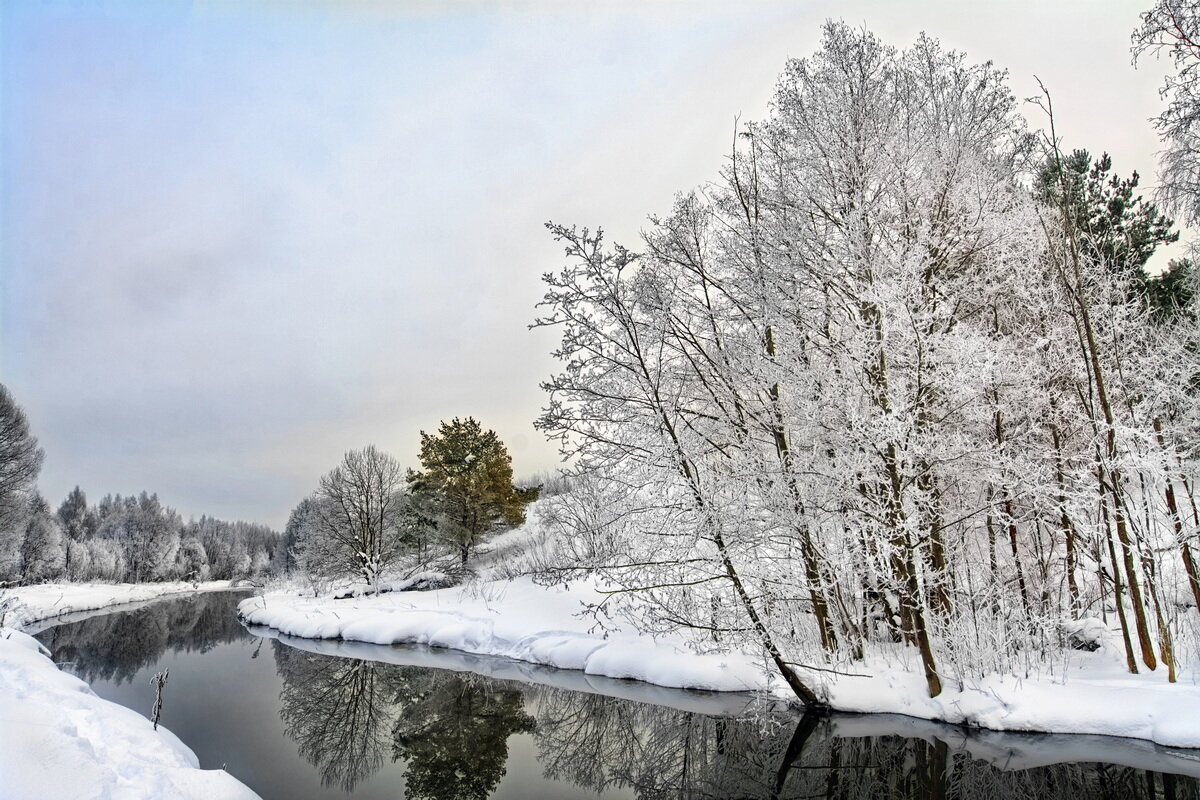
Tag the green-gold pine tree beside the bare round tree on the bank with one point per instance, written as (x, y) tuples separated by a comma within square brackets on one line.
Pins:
[(466, 486)]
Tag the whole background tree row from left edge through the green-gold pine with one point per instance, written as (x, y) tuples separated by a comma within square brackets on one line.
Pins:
[(367, 515)]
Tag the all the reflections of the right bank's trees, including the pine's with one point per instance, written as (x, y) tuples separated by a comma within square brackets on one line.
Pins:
[(453, 730)]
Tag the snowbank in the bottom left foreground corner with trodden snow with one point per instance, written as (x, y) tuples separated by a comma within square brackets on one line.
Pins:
[(61, 741)]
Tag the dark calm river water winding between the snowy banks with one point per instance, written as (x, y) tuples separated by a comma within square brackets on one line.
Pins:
[(297, 719)]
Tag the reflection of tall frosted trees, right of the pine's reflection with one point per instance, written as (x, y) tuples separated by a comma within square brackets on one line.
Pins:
[(658, 753)]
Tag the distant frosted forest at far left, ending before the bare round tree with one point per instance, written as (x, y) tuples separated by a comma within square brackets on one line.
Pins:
[(133, 539)]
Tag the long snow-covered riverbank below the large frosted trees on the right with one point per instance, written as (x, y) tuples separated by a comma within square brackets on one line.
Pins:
[(520, 619)]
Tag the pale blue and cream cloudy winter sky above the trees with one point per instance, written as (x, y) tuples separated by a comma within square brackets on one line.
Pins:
[(241, 239)]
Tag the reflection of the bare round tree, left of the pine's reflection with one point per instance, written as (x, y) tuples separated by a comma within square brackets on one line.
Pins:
[(338, 711)]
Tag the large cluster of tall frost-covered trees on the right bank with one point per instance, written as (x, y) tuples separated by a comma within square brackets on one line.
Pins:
[(898, 383)]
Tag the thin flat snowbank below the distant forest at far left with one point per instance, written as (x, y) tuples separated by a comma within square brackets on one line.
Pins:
[(29, 605)]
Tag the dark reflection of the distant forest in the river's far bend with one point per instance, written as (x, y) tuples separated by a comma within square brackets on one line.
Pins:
[(116, 646)]
